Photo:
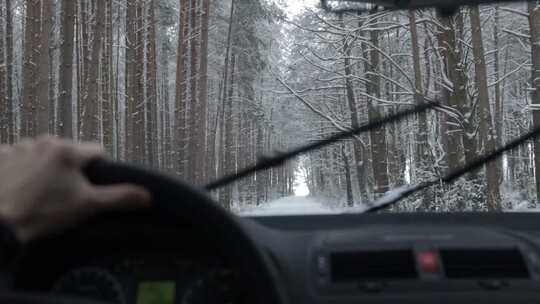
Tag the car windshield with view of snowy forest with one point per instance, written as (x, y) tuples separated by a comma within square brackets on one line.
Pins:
[(201, 89)]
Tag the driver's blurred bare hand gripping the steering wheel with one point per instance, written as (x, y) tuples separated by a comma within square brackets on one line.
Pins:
[(43, 189)]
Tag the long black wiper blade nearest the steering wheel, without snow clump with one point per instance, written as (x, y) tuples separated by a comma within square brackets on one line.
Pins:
[(280, 158)]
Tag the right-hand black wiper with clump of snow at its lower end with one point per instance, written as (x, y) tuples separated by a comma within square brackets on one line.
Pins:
[(396, 195)]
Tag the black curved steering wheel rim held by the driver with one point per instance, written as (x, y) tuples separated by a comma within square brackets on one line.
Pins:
[(175, 198)]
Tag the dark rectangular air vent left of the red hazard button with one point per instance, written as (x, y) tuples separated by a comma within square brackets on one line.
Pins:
[(372, 265)]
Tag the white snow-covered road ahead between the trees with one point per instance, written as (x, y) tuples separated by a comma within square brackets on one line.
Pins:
[(291, 205)]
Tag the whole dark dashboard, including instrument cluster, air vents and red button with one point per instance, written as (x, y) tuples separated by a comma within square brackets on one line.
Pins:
[(373, 258)]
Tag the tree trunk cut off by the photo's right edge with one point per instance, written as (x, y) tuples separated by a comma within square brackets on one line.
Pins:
[(534, 25)]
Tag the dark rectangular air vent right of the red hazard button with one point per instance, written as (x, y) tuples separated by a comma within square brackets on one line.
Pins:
[(483, 263)]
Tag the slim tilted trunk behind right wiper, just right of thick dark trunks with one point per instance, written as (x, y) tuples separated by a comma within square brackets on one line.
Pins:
[(487, 133)]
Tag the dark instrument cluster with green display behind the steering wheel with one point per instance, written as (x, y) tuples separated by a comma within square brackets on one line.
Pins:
[(134, 260)]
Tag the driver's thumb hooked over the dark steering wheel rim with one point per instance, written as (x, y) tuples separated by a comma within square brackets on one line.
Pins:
[(120, 196)]
